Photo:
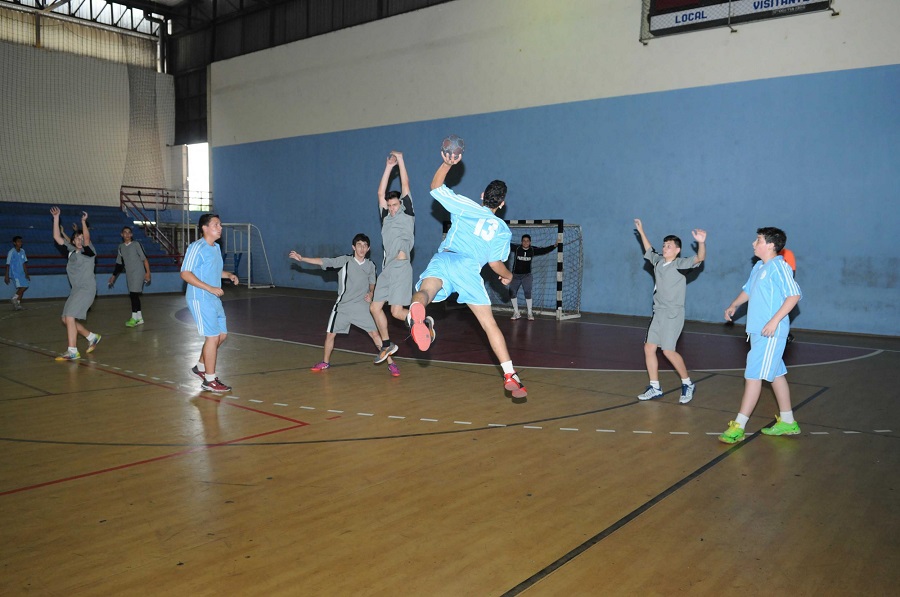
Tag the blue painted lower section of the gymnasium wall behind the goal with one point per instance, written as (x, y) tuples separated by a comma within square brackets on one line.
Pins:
[(817, 155)]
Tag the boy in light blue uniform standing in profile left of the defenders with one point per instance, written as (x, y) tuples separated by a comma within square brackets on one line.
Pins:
[(202, 270)]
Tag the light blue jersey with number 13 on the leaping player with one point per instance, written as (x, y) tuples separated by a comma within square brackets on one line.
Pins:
[(476, 232)]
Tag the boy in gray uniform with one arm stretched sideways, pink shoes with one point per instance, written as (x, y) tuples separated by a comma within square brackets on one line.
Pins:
[(356, 284)]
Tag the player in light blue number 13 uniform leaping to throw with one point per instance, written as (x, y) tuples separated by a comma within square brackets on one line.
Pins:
[(476, 236)]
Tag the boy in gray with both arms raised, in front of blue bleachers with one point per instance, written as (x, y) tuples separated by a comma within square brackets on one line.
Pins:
[(80, 269)]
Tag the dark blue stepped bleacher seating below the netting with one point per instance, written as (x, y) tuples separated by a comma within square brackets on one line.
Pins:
[(33, 222)]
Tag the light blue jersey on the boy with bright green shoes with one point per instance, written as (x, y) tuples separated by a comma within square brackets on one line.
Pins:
[(768, 287)]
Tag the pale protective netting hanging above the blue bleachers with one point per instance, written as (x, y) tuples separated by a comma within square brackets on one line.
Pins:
[(86, 112)]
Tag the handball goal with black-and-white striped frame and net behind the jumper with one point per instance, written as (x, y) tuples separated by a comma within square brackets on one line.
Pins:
[(556, 288)]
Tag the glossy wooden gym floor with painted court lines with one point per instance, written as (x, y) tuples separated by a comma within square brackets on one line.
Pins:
[(120, 477)]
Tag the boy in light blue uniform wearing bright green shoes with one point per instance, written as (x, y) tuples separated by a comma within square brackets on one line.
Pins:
[(772, 293)]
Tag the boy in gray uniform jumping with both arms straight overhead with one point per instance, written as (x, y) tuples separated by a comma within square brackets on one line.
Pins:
[(398, 235)]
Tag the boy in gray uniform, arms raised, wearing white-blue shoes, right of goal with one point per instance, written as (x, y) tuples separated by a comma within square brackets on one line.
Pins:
[(668, 308)]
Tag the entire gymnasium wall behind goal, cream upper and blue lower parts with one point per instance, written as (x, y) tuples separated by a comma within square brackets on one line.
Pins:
[(790, 122)]
